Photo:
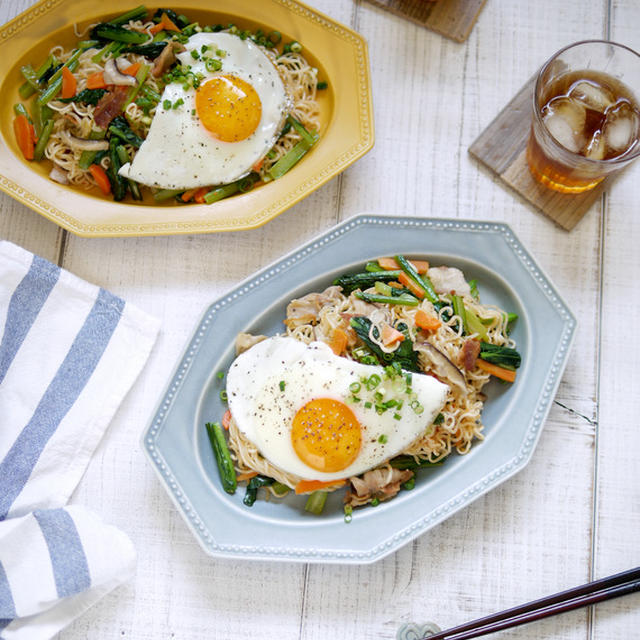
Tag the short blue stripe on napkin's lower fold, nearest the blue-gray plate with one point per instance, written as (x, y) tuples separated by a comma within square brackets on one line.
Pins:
[(68, 560)]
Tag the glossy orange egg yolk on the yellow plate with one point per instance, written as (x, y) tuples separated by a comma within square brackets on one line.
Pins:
[(228, 107)]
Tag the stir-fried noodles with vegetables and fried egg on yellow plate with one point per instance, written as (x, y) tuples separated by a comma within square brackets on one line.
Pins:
[(151, 103)]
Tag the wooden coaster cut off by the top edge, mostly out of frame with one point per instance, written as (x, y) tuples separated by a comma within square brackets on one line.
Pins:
[(451, 18)]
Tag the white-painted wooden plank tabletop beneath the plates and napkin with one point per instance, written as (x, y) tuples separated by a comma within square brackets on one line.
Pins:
[(571, 515)]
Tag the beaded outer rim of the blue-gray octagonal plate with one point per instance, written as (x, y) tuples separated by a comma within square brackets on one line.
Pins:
[(479, 487)]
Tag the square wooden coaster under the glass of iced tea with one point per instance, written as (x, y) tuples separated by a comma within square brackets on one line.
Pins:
[(502, 147)]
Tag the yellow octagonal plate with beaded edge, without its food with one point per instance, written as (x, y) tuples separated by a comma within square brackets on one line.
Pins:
[(346, 132)]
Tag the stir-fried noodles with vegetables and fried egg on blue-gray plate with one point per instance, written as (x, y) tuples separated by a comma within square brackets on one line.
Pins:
[(374, 379)]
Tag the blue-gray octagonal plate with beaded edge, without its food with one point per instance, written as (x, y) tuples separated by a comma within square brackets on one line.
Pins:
[(176, 442)]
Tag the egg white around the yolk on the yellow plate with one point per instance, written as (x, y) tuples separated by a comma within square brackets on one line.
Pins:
[(179, 152)]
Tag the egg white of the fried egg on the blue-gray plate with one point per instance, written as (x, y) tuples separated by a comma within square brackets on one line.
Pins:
[(264, 409)]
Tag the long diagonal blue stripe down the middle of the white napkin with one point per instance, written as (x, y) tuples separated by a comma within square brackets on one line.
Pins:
[(66, 386)]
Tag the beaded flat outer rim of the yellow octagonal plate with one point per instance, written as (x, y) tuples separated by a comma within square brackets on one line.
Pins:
[(20, 182)]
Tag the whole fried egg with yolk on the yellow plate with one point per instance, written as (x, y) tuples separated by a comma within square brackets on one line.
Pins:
[(214, 134)]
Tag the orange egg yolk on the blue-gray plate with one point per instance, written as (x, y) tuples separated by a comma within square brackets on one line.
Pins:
[(326, 435)]
